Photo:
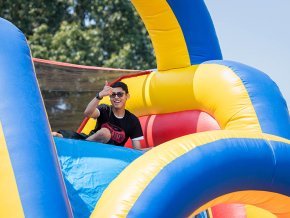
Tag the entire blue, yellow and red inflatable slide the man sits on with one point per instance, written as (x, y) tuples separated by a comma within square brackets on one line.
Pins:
[(222, 130)]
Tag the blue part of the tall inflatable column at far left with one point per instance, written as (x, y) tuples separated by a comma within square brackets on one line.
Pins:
[(26, 130)]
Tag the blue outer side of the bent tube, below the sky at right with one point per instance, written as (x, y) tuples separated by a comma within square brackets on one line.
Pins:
[(269, 104)]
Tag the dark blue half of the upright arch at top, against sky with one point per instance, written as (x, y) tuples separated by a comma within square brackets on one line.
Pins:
[(198, 30)]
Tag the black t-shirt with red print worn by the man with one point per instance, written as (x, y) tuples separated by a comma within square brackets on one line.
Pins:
[(121, 128)]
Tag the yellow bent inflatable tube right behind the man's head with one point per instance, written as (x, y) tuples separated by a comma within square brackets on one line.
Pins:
[(200, 87)]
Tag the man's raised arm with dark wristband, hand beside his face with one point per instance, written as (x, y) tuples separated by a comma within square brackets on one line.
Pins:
[(91, 109)]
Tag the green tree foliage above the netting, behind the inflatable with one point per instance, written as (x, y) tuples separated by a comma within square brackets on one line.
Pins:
[(91, 32)]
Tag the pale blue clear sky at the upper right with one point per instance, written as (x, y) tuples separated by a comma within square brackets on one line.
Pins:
[(256, 33)]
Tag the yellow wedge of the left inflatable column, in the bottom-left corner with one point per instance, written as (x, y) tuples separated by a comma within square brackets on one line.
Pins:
[(10, 204)]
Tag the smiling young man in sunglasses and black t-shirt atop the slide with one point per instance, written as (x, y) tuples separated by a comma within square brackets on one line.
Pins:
[(115, 124)]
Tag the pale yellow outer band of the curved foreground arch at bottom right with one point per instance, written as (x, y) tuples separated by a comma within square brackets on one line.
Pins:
[(123, 192)]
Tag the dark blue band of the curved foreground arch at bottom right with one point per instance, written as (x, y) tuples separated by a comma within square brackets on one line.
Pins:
[(212, 170)]
